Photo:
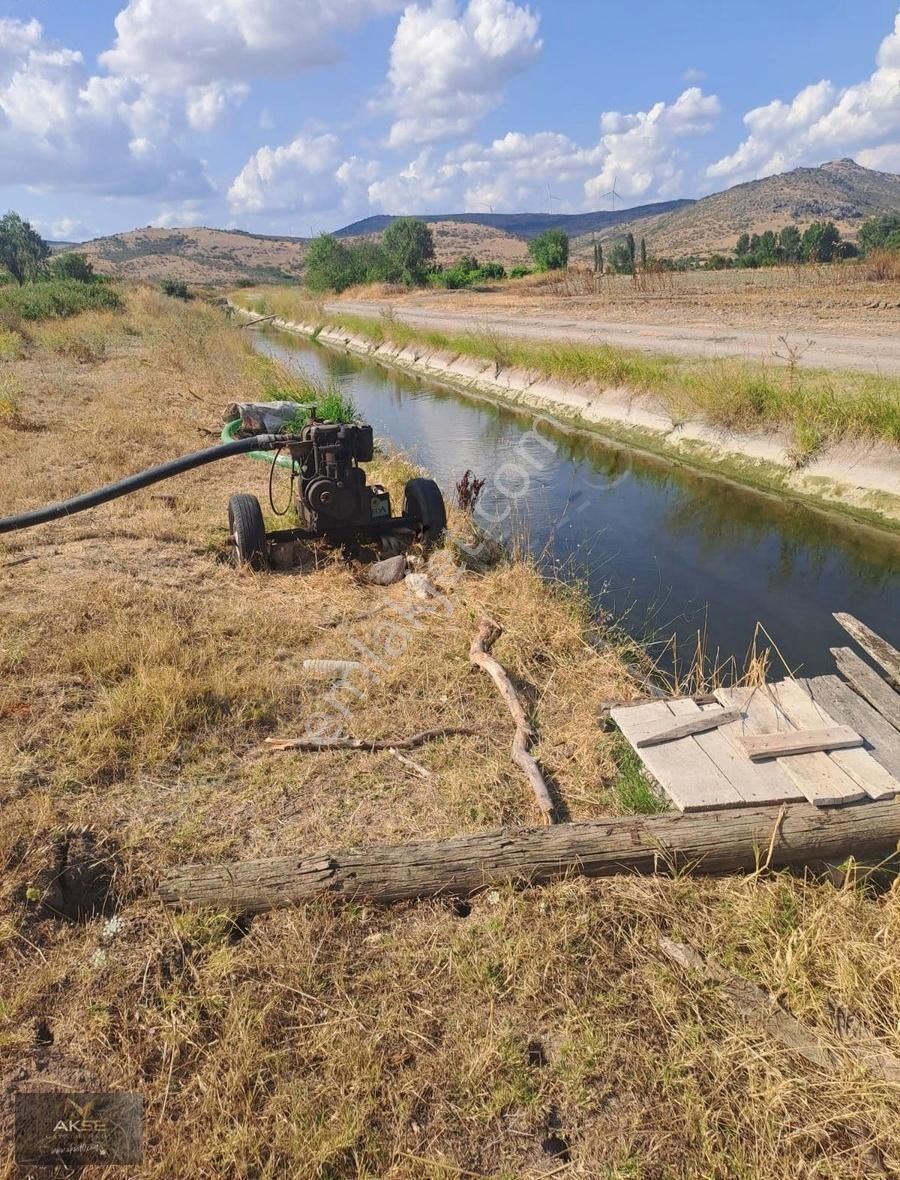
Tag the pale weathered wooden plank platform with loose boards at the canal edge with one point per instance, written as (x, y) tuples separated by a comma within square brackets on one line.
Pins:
[(702, 768)]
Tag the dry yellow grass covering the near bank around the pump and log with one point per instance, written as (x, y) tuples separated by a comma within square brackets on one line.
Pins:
[(541, 1033)]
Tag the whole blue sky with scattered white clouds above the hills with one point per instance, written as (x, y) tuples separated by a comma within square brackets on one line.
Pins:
[(294, 116)]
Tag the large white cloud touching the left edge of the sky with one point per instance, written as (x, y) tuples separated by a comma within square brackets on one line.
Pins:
[(62, 128)]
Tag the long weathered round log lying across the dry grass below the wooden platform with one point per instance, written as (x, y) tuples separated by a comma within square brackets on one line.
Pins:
[(715, 843)]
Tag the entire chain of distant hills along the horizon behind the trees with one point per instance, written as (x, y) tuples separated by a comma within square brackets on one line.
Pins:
[(842, 192)]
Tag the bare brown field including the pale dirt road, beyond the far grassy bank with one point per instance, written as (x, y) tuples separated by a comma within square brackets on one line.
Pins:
[(833, 317)]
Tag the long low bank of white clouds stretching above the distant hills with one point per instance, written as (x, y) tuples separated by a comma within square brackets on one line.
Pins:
[(640, 152)]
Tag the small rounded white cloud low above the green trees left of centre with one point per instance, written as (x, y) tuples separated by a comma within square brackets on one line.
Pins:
[(300, 176)]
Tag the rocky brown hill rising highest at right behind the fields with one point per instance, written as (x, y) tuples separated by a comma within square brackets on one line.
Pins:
[(842, 192)]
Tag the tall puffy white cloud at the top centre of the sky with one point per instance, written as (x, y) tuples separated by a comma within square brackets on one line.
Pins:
[(449, 68)]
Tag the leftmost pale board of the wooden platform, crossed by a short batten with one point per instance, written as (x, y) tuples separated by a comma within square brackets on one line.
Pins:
[(682, 770)]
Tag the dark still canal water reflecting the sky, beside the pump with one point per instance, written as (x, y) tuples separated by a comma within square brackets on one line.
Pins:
[(669, 553)]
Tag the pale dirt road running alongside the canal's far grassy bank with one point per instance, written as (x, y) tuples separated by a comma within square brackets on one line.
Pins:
[(829, 350)]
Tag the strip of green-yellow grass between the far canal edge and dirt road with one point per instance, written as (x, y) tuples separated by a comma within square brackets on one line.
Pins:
[(814, 405)]
